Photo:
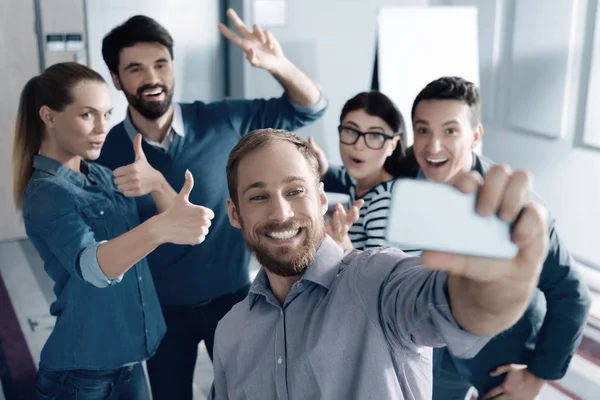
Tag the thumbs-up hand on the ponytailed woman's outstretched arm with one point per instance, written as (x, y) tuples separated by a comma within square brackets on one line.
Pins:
[(184, 222)]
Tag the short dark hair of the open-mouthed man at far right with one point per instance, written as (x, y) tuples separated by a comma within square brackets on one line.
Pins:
[(452, 88)]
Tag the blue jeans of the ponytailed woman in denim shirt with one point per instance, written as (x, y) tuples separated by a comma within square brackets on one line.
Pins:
[(117, 384)]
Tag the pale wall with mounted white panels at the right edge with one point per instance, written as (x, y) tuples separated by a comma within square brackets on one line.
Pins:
[(535, 61)]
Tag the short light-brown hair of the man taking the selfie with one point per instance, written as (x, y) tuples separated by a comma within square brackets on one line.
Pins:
[(259, 139)]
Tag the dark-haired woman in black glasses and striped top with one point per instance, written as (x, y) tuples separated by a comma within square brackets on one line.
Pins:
[(372, 146)]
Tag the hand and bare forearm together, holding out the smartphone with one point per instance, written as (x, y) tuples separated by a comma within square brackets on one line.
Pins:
[(488, 296)]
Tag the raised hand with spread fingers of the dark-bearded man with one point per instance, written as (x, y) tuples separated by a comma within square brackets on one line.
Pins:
[(261, 48)]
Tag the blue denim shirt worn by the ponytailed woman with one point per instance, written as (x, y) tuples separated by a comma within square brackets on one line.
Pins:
[(101, 323)]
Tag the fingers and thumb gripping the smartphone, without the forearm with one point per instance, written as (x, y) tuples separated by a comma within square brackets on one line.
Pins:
[(507, 194)]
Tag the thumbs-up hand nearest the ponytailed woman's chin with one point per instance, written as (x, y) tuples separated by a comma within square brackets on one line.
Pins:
[(138, 178)]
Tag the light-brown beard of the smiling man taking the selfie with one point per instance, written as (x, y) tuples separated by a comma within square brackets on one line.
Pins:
[(281, 264)]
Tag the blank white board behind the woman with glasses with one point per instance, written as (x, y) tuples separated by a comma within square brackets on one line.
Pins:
[(417, 45)]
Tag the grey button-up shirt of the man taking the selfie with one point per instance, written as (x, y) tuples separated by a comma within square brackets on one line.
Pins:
[(357, 325)]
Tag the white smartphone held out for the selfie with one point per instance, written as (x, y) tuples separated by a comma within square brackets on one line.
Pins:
[(435, 216)]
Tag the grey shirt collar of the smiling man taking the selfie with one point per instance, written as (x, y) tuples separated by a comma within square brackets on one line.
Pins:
[(322, 271)]
